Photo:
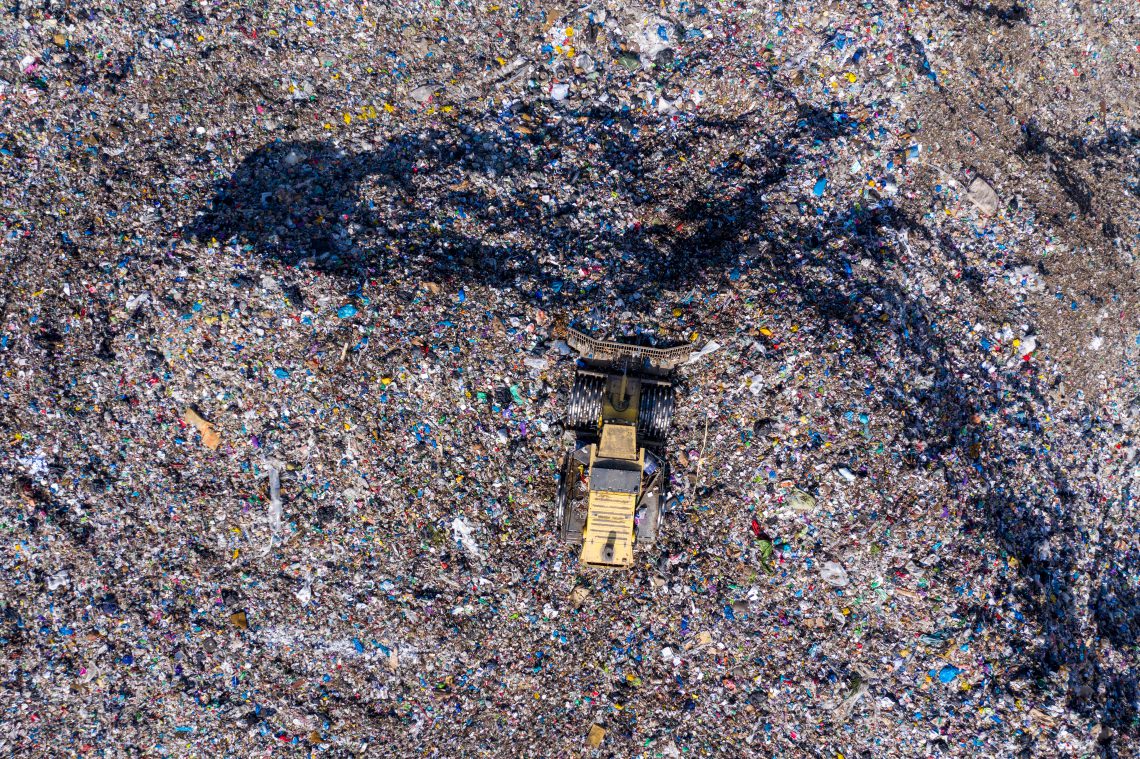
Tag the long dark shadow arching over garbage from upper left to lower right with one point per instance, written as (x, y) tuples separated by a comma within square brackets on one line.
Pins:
[(466, 206)]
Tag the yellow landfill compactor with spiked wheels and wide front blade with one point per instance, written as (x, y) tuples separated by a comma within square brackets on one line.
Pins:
[(614, 484)]
